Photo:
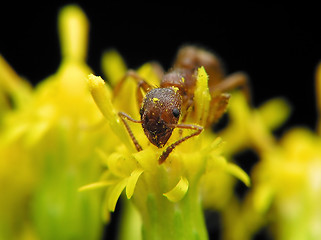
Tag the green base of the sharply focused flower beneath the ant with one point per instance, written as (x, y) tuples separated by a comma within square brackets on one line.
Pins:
[(163, 219)]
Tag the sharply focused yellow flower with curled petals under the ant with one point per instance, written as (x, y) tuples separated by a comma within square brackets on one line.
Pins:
[(169, 192)]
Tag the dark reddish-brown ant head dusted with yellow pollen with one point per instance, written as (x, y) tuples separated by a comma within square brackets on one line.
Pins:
[(160, 113)]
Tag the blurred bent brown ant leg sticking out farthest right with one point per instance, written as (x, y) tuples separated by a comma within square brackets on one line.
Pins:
[(235, 80)]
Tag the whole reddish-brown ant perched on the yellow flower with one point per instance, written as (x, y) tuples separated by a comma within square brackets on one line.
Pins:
[(162, 107)]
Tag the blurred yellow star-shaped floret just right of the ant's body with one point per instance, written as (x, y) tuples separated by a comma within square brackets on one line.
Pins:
[(251, 128)]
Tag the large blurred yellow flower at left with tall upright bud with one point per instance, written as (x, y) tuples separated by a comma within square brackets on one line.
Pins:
[(46, 144)]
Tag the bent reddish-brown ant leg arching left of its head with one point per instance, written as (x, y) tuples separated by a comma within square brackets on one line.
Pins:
[(141, 84)]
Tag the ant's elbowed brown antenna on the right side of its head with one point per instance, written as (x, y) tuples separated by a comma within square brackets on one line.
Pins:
[(169, 149)]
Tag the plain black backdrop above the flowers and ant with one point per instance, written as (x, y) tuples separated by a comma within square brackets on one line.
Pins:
[(277, 45)]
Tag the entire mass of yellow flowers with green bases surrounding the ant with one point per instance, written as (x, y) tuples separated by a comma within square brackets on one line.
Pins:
[(64, 137)]
